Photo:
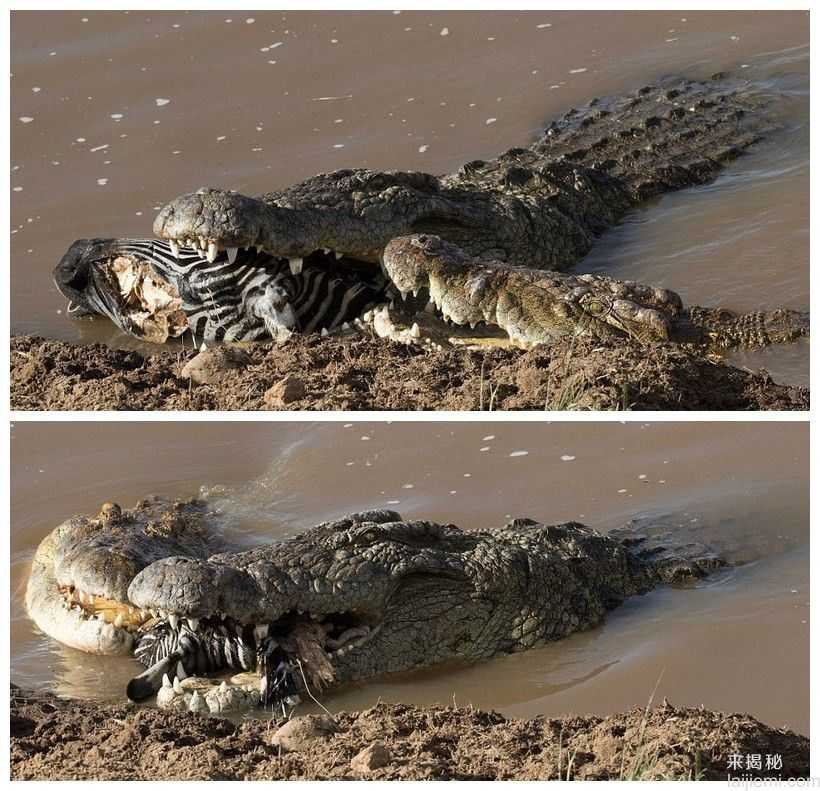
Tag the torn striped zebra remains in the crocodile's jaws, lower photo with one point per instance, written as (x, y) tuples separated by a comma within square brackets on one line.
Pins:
[(292, 654)]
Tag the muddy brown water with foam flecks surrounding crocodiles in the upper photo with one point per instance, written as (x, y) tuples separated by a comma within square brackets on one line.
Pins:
[(115, 113)]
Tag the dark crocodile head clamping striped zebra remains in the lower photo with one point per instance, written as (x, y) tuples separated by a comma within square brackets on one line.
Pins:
[(361, 596)]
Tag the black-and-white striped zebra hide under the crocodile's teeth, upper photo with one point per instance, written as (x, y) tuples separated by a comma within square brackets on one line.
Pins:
[(222, 300)]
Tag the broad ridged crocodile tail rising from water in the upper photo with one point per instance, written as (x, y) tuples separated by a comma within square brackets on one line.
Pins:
[(666, 136)]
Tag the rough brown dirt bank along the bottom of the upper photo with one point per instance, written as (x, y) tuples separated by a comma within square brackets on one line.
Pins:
[(309, 372)]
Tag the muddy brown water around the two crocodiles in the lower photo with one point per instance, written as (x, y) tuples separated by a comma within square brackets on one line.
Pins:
[(738, 641)]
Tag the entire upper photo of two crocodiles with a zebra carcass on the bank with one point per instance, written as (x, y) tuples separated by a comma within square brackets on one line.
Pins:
[(409, 210)]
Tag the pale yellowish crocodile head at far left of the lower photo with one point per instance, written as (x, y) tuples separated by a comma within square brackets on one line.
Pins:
[(78, 586)]
